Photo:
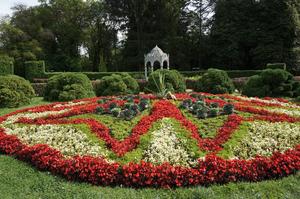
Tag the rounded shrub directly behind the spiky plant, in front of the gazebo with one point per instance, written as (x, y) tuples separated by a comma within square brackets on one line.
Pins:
[(173, 81)]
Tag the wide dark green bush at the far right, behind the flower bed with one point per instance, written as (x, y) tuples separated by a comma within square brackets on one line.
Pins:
[(273, 83)]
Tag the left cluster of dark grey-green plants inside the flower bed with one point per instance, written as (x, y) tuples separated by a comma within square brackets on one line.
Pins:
[(127, 112)]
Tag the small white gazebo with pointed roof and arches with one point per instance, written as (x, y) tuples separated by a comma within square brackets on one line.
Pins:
[(156, 55)]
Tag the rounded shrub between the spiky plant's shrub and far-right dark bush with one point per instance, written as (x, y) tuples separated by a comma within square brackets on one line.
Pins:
[(216, 82)]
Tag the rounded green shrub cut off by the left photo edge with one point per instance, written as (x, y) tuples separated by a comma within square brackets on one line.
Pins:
[(15, 91)]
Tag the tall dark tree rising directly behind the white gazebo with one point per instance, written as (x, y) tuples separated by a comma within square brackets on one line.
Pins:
[(147, 23)]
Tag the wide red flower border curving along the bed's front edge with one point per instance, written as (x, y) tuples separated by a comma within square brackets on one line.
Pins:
[(99, 172)]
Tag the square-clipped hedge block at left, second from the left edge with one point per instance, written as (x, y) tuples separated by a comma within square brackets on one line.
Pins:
[(34, 69)]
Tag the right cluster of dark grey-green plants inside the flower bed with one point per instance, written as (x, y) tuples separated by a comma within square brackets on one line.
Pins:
[(203, 110)]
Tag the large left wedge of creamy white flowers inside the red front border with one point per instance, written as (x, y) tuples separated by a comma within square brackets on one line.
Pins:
[(67, 139)]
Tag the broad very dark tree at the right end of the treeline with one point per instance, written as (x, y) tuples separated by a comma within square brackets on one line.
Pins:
[(248, 34)]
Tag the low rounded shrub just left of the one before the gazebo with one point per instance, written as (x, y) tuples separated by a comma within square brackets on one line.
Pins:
[(117, 85)]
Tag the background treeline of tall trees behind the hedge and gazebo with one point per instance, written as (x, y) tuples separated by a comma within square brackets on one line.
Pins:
[(114, 35)]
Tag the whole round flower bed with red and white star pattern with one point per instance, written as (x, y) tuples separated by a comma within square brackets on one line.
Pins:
[(143, 141)]
